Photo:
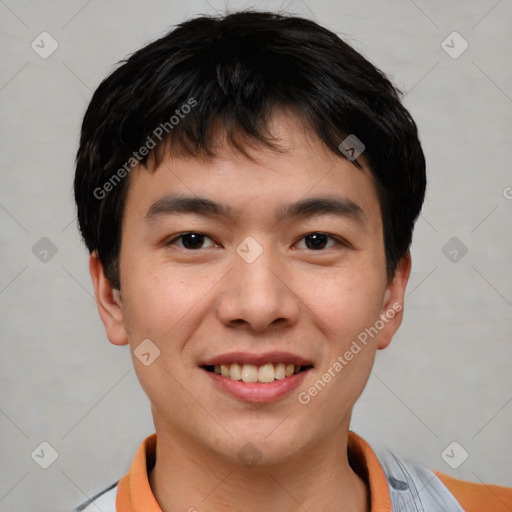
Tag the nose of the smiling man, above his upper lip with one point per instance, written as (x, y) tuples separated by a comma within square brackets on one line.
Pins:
[(259, 295)]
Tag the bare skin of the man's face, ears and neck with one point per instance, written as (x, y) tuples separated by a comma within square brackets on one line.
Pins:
[(197, 303)]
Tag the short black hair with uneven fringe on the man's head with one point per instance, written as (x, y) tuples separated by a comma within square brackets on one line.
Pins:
[(229, 73)]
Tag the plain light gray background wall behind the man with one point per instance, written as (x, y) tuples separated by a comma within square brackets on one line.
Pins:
[(446, 376)]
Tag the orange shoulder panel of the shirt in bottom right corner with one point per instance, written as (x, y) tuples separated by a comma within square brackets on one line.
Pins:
[(475, 497)]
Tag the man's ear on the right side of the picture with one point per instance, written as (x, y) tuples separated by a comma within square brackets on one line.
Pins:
[(393, 303)]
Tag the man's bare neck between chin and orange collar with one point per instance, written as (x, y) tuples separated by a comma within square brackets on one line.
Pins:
[(319, 478)]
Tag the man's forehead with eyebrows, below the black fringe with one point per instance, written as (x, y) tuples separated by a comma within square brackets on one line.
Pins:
[(274, 184)]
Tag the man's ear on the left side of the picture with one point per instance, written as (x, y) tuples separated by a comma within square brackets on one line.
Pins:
[(109, 302)]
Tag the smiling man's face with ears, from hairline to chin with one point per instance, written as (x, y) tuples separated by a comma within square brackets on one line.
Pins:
[(266, 302)]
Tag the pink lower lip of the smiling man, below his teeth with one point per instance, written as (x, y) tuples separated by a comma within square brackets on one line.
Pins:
[(258, 392)]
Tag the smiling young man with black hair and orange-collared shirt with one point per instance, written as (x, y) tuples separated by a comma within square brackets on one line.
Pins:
[(247, 187)]
